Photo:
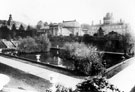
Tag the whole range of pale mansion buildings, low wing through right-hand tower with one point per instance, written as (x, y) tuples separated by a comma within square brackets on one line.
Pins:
[(72, 27)]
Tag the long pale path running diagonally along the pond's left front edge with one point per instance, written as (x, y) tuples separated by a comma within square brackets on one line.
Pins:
[(53, 77)]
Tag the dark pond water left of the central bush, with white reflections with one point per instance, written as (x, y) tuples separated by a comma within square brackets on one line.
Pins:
[(51, 58)]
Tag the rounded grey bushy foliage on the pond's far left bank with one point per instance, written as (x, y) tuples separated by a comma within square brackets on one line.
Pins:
[(37, 44)]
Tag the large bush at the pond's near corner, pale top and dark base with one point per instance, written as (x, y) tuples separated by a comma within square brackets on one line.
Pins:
[(86, 59)]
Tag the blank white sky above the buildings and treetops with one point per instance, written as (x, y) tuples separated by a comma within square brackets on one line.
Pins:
[(84, 11)]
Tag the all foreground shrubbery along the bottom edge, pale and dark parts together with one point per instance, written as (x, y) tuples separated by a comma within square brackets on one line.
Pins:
[(96, 84)]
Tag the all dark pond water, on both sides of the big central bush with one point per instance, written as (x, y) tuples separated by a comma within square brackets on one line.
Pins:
[(52, 58)]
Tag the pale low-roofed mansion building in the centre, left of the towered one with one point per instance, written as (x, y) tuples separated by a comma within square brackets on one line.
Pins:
[(65, 28)]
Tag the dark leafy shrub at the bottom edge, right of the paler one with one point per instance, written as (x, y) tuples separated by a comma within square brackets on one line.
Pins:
[(96, 84)]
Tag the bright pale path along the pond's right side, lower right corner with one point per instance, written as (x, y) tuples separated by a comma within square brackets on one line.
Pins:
[(125, 80)]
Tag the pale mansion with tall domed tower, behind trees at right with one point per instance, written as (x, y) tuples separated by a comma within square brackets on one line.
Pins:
[(108, 26)]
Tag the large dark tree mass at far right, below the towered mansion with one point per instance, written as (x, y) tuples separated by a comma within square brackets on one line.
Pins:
[(119, 43)]
